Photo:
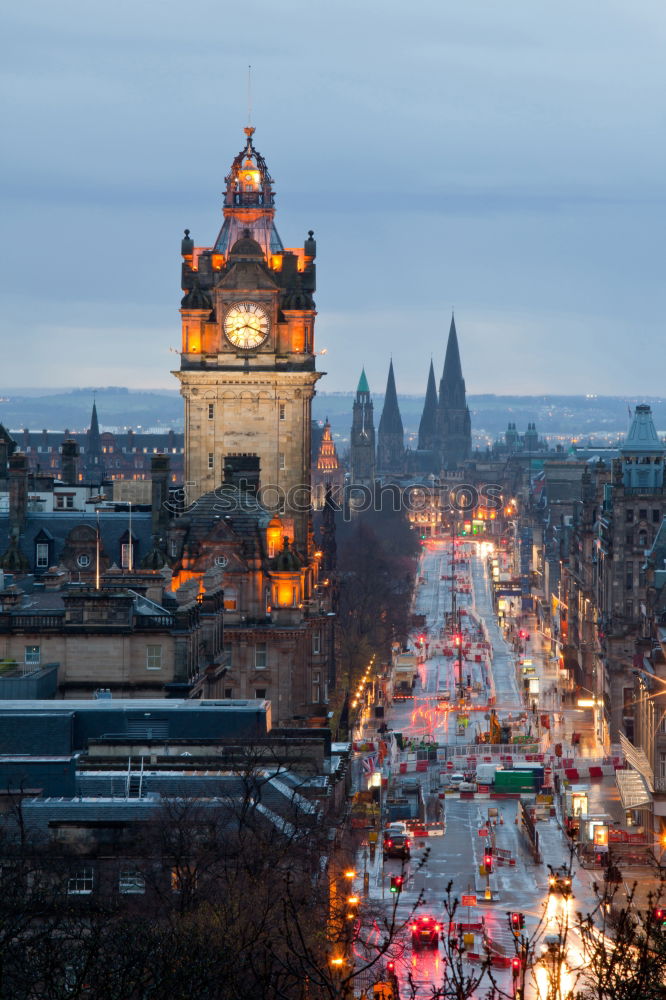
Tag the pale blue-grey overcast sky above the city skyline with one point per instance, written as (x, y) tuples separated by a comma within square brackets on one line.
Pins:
[(506, 159)]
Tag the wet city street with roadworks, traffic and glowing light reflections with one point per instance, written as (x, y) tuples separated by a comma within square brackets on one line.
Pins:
[(456, 848)]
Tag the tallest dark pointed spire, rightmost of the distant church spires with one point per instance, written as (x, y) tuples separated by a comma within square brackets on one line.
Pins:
[(454, 428)]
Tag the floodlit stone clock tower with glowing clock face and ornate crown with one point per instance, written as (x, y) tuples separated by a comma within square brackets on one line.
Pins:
[(247, 369)]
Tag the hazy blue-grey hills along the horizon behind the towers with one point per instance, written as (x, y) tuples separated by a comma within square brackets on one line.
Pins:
[(601, 417)]
